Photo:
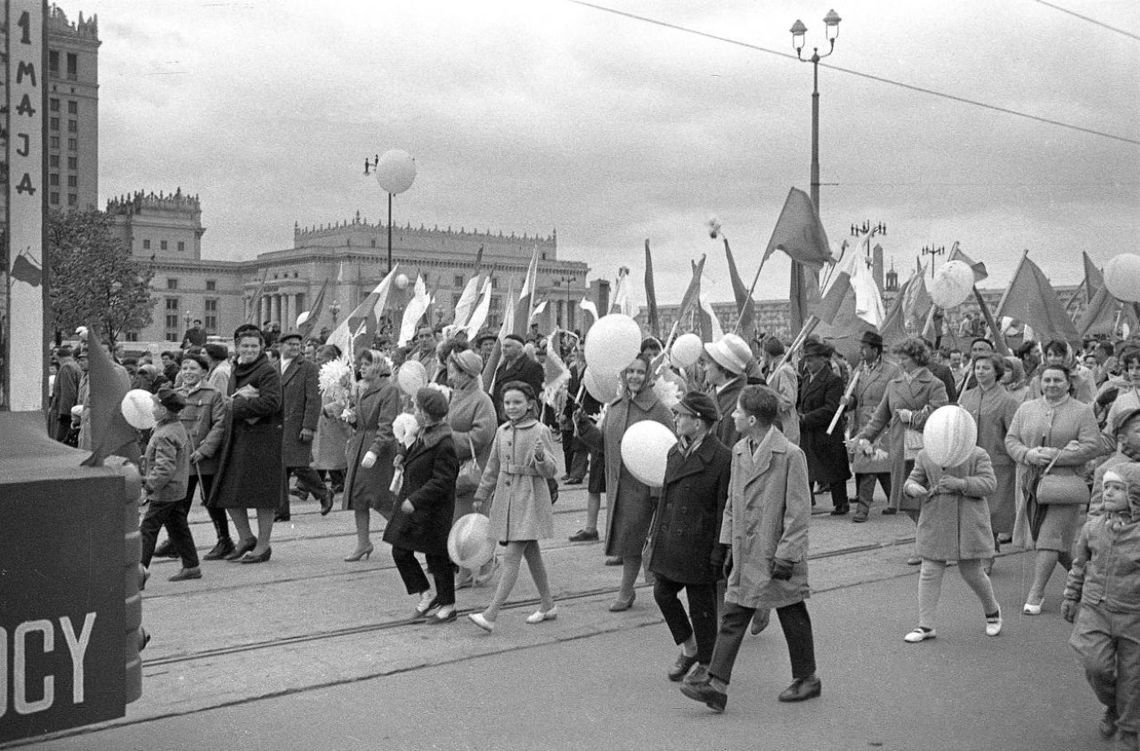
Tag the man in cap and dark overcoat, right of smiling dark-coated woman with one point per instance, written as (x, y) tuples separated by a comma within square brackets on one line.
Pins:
[(302, 406)]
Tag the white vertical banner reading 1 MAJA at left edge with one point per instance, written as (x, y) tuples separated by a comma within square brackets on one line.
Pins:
[(26, 88)]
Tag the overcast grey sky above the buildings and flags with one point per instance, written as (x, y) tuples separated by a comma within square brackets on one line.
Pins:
[(528, 116)]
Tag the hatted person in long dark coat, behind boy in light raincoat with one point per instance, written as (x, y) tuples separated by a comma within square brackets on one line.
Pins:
[(820, 394)]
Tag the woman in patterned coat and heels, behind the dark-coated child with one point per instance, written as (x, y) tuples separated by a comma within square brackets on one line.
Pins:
[(371, 451)]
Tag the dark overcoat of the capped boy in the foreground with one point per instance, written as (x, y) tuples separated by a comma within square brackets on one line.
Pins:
[(687, 526)]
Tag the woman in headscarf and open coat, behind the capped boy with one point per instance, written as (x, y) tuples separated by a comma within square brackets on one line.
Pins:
[(631, 502)]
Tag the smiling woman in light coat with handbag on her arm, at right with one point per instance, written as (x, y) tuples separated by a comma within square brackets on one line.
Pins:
[(1053, 430)]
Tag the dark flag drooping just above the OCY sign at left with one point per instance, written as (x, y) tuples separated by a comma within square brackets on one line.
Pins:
[(108, 383)]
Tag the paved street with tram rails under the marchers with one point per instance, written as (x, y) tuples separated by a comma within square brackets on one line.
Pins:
[(310, 652)]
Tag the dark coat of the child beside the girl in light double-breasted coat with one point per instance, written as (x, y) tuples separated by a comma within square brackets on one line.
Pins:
[(430, 469)]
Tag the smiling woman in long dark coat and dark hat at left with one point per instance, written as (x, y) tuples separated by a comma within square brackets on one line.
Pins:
[(250, 466)]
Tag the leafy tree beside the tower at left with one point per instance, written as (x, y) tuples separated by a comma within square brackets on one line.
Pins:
[(93, 279)]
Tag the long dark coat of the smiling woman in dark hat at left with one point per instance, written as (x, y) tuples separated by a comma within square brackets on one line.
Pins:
[(250, 467)]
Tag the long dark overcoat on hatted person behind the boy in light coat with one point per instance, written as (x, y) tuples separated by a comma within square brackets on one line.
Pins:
[(819, 399)]
